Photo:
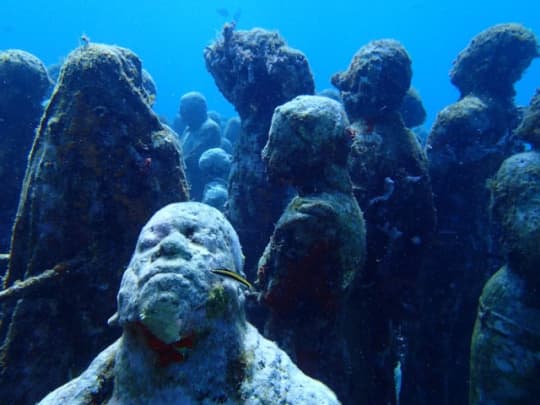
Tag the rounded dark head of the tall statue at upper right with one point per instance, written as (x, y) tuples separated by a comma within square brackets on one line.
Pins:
[(494, 60)]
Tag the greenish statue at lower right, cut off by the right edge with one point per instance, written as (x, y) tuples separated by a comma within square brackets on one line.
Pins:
[(505, 356)]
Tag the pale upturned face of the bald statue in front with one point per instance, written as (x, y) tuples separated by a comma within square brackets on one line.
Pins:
[(169, 285)]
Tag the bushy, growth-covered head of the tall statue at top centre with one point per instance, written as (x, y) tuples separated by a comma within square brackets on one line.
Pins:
[(256, 71)]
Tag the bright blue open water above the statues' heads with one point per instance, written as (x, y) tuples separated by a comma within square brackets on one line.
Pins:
[(170, 35)]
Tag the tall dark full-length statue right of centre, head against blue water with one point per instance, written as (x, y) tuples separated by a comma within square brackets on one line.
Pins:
[(391, 182)]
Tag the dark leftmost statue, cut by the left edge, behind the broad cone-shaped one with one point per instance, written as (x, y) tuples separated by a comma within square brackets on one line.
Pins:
[(24, 83)]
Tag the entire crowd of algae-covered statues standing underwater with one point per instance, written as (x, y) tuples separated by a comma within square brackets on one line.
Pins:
[(368, 247)]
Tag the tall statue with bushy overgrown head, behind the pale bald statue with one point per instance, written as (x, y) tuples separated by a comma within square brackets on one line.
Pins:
[(256, 71)]
